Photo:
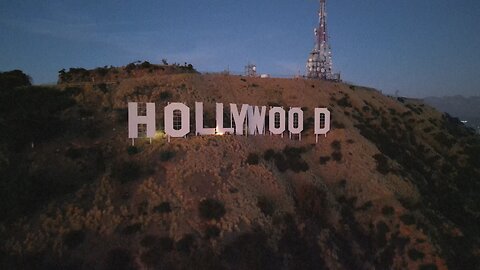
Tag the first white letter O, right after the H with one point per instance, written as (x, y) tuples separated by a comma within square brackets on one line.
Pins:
[(171, 120)]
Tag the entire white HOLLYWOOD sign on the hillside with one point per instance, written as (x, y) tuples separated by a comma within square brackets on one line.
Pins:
[(248, 120)]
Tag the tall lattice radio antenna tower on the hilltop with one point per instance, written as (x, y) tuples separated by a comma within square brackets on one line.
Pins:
[(319, 64)]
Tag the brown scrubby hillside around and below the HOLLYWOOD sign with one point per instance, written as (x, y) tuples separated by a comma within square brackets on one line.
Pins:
[(394, 185)]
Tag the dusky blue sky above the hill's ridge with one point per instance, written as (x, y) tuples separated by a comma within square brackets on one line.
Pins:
[(418, 47)]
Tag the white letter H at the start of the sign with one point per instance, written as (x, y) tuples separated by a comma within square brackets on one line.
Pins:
[(134, 120)]
